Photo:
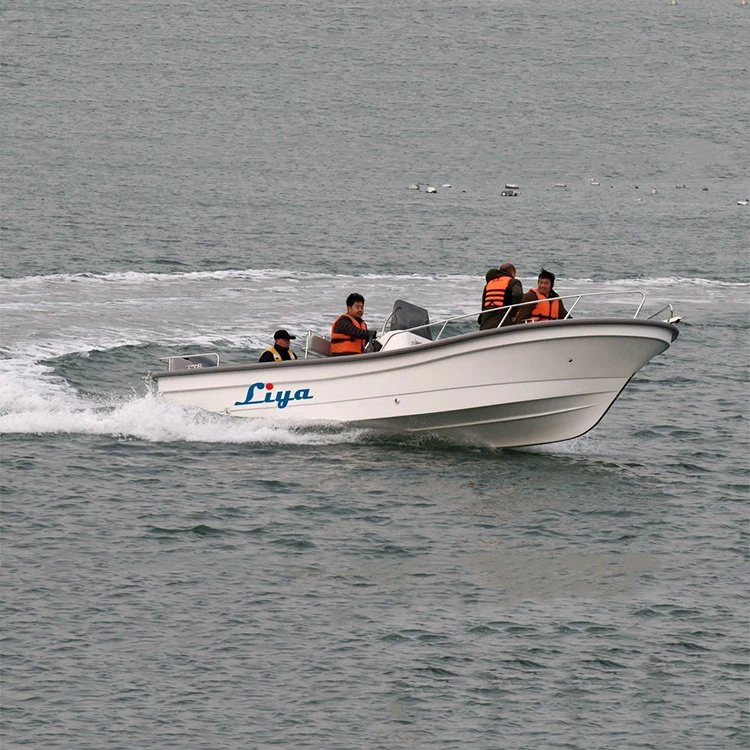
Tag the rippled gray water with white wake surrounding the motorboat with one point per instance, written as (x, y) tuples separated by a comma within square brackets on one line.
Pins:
[(193, 176)]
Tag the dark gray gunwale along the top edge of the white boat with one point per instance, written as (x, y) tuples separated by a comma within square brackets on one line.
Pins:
[(428, 345)]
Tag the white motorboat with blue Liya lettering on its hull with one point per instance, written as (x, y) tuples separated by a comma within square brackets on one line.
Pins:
[(511, 386)]
